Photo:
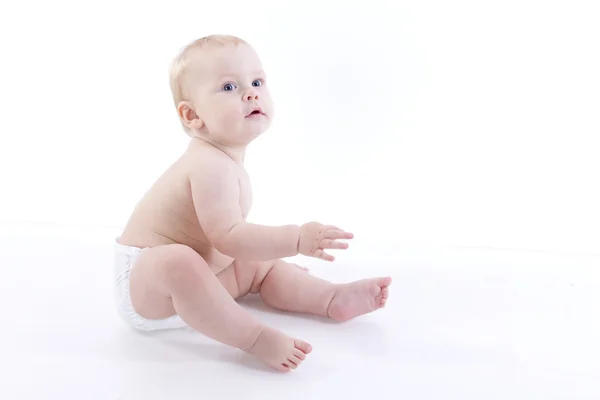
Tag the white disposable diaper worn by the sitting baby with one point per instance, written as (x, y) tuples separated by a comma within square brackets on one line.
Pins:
[(125, 257)]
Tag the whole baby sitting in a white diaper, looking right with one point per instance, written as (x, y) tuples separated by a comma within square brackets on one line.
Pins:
[(187, 252)]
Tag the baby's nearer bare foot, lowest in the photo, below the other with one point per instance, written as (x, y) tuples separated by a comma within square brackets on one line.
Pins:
[(280, 351)]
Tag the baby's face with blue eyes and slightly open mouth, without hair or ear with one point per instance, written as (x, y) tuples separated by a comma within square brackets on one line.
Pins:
[(230, 96)]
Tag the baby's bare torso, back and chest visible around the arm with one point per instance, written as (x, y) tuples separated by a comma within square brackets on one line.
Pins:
[(166, 215)]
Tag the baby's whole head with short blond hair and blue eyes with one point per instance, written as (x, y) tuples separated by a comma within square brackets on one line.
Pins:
[(219, 89)]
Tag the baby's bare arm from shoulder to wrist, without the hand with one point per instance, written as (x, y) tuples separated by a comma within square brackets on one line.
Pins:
[(216, 196)]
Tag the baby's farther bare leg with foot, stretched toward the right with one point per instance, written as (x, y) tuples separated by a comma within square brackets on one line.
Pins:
[(286, 287)]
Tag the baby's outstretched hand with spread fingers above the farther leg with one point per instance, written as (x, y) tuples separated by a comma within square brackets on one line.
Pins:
[(316, 237)]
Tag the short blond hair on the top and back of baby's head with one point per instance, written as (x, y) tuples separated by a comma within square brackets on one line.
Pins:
[(181, 65)]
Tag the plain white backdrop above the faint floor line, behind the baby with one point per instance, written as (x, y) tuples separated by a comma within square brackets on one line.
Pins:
[(472, 123)]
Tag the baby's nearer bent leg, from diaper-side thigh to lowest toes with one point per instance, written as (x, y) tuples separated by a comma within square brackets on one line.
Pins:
[(174, 279)]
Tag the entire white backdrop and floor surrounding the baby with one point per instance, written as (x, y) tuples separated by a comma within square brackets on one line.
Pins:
[(469, 123)]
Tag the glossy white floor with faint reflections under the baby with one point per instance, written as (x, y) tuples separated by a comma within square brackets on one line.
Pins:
[(460, 324)]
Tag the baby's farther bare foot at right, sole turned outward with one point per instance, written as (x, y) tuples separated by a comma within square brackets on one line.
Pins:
[(357, 298)]
